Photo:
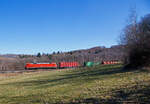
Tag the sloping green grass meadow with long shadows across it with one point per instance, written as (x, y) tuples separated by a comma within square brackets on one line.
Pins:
[(101, 84)]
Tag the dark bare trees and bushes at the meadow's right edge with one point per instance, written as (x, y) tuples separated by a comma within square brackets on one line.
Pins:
[(136, 39)]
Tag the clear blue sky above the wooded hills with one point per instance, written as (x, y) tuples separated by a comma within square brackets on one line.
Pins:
[(32, 26)]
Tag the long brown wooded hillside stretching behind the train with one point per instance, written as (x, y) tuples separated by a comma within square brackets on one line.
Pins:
[(95, 54)]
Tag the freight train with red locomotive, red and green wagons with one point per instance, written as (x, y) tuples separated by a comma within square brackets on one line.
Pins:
[(62, 65)]
